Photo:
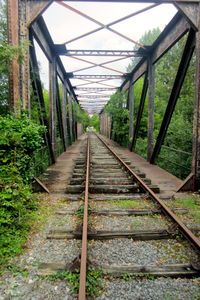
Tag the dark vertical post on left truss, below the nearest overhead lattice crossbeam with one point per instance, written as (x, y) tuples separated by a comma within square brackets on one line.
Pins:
[(53, 96)]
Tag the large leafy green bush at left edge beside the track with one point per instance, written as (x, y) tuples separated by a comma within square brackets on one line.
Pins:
[(19, 139)]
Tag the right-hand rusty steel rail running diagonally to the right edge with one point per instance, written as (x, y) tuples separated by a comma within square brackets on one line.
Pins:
[(183, 228)]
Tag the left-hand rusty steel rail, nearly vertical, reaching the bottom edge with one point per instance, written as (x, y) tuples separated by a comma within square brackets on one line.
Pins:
[(83, 266)]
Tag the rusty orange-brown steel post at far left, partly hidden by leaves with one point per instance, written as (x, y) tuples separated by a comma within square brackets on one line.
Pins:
[(13, 37)]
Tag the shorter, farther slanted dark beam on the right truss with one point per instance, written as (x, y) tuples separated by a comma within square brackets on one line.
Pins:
[(140, 111)]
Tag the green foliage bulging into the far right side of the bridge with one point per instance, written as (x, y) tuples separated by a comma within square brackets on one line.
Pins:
[(120, 117)]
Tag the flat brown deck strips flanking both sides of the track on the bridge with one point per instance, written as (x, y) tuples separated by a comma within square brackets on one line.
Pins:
[(57, 175)]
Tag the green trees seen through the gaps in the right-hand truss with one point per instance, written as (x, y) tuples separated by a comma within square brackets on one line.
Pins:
[(179, 136)]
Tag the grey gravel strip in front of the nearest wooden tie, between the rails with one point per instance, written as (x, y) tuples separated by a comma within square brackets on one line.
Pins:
[(163, 288)]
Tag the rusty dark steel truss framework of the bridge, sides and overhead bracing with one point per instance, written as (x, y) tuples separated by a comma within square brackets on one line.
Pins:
[(26, 22)]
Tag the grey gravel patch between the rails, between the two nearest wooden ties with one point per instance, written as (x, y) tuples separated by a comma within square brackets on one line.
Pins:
[(126, 251)]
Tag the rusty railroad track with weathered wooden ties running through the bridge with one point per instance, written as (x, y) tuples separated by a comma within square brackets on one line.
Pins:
[(131, 232)]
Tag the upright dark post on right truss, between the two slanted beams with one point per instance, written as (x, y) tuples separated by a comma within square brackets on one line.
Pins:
[(151, 79)]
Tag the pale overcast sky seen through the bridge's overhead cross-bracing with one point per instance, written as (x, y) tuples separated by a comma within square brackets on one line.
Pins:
[(64, 25)]
